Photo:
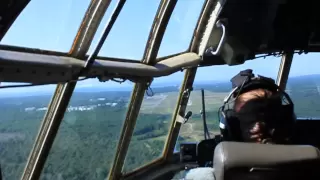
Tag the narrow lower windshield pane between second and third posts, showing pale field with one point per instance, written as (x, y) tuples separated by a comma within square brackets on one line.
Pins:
[(153, 122)]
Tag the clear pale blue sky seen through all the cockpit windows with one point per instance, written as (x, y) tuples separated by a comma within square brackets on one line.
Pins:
[(60, 20)]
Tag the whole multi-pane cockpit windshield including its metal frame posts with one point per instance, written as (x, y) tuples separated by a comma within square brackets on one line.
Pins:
[(118, 112)]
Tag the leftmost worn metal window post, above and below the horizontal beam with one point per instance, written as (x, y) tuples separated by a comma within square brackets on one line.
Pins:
[(62, 95)]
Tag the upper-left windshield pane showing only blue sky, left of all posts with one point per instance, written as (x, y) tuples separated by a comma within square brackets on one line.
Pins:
[(47, 24)]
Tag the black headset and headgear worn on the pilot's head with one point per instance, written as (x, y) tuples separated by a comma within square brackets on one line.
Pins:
[(234, 127)]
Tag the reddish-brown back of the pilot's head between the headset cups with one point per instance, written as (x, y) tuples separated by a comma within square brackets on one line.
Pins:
[(253, 109)]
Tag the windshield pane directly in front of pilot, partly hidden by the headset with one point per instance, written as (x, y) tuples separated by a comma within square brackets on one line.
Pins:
[(215, 80)]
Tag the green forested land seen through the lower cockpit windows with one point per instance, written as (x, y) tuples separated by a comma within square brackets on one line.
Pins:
[(85, 145)]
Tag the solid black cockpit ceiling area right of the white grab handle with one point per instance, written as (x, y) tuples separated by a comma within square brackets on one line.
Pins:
[(268, 26)]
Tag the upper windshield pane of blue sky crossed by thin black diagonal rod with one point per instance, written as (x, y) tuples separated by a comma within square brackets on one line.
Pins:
[(129, 34)]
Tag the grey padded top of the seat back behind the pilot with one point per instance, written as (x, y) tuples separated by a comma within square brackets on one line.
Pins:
[(230, 155)]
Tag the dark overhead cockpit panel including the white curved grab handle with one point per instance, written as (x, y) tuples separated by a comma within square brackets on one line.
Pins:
[(261, 27)]
